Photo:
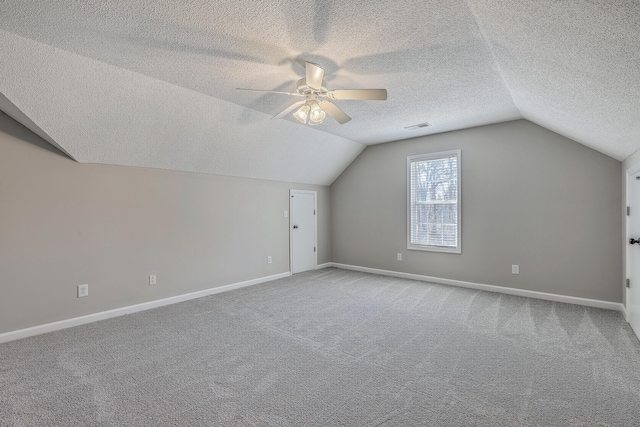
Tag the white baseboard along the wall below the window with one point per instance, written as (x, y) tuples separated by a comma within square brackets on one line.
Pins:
[(491, 288)]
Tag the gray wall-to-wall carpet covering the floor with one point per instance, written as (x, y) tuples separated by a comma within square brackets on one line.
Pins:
[(332, 348)]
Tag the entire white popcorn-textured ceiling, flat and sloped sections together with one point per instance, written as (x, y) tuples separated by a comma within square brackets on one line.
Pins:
[(152, 83)]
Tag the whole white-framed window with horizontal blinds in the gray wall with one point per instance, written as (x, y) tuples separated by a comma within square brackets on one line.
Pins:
[(433, 220)]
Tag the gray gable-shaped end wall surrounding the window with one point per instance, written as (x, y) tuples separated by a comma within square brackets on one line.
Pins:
[(529, 197)]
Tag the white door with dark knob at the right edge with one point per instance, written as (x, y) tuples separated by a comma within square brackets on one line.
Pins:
[(633, 252)]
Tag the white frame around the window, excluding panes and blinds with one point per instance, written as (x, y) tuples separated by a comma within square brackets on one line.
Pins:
[(434, 248)]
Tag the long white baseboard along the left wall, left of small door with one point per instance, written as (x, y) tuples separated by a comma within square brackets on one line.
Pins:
[(76, 321)]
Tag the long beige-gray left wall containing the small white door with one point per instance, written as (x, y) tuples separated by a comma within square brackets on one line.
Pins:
[(63, 224)]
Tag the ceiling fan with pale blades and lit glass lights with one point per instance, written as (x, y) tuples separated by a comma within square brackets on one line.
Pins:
[(317, 102)]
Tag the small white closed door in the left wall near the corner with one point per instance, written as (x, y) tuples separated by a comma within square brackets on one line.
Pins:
[(303, 230)]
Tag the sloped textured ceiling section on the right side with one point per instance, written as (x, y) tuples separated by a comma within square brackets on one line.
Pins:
[(571, 66)]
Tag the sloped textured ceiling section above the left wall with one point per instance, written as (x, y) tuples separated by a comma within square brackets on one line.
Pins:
[(113, 116)]
